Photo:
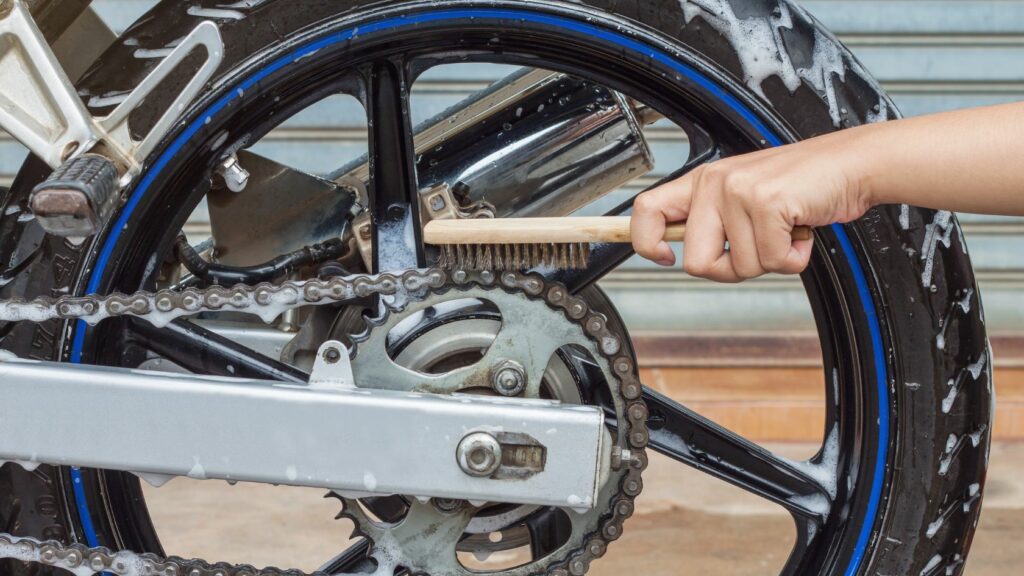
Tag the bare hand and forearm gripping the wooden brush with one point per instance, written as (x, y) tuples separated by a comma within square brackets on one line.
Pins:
[(970, 161)]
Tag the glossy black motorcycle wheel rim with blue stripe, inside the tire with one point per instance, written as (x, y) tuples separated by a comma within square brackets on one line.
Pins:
[(566, 42)]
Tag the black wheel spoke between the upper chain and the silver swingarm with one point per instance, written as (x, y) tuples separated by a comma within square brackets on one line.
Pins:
[(204, 352)]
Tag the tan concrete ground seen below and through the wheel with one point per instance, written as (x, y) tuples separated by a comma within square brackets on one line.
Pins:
[(687, 523)]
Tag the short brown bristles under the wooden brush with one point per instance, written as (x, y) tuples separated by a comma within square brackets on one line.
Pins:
[(515, 258)]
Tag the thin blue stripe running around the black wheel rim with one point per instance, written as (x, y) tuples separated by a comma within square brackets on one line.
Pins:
[(634, 46)]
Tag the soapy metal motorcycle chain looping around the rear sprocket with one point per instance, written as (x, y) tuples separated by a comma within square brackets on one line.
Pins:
[(269, 301)]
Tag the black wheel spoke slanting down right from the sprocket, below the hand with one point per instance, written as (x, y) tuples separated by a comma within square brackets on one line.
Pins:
[(692, 439)]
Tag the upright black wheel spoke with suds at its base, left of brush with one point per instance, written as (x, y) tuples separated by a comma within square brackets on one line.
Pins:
[(394, 189)]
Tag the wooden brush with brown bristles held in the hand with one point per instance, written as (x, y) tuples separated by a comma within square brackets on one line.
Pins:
[(529, 243)]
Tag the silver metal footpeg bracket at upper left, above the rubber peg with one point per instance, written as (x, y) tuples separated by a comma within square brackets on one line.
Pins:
[(41, 109)]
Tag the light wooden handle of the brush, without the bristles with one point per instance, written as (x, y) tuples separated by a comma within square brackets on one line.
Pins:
[(547, 231)]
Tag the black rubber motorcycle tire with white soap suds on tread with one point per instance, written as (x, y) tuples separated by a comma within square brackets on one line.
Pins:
[(916, 278)]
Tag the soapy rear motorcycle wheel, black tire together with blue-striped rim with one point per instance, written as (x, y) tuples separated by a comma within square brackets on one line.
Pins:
[(884, 290)]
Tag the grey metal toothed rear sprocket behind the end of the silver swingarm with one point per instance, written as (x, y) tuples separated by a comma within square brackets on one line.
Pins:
[(539, 322)]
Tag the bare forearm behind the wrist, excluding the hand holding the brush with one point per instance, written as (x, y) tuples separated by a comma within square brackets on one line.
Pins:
[(970, 161)]
